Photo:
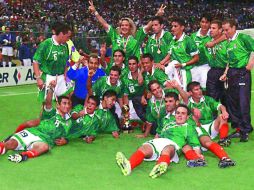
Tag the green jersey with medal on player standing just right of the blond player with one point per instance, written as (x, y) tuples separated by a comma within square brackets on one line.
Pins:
[(158, 48)]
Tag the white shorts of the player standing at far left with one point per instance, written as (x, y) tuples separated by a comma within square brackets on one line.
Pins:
[(61, 86)]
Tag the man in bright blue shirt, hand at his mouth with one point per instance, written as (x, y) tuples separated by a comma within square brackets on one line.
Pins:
[(80, 76)]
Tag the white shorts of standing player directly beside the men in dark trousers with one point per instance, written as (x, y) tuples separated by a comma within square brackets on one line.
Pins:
[(199, 74)]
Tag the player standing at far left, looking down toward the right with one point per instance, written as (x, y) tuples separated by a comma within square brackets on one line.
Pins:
[(50, 60)]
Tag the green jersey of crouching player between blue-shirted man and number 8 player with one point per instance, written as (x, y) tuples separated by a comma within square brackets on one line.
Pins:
[(103, 84)]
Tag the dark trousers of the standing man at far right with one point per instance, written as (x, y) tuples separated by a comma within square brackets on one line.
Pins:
[(238, 97)]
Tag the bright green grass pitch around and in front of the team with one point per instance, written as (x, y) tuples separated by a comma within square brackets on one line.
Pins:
[(92, 166)]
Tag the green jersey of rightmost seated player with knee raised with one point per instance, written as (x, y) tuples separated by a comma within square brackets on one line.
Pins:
[(207, 106)]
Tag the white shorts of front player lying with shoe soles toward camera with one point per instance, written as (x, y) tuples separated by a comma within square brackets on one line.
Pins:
[(158, 145)]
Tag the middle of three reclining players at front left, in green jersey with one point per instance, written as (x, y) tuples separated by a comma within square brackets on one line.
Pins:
[(85, 122)]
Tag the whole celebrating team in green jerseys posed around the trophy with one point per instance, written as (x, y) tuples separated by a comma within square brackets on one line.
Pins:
[(182, 89)]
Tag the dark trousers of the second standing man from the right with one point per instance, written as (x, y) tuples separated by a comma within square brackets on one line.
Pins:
[(215, 87)]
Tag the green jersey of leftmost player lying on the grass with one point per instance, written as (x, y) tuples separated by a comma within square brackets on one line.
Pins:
[(51, 129)]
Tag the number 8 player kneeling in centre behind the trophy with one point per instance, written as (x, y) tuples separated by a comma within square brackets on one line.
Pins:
[(134, 87)]
